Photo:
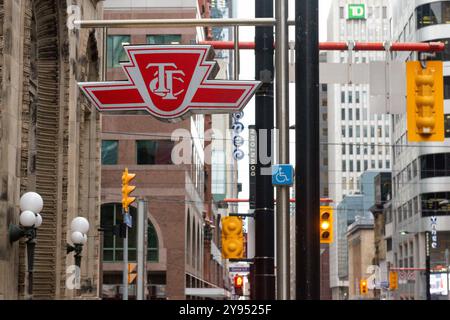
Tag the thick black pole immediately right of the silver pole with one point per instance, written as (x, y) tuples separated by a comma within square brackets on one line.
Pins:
[(307, 173)]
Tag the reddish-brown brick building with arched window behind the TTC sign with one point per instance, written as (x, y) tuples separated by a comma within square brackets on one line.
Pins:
[(183, 256)]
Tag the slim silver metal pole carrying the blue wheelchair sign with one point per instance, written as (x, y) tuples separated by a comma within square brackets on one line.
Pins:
[(282, 112)]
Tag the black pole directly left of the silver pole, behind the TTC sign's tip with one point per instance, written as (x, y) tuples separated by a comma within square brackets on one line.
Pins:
[(264, 120)]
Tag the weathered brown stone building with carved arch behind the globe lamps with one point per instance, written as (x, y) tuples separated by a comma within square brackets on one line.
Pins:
[(49, 142)]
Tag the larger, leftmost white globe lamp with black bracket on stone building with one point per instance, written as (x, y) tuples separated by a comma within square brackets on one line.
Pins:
[(31, 205)]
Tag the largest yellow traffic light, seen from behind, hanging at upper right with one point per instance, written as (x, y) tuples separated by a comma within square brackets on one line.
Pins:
[(425, 101)]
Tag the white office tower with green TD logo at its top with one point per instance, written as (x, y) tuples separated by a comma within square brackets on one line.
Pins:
[(358, 139)]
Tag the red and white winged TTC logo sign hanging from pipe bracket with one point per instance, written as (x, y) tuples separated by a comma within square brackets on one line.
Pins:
[(170, 82)]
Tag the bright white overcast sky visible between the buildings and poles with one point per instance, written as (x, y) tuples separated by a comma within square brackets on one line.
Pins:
[(246, 9)]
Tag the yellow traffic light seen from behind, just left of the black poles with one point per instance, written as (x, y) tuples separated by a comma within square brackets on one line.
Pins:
[(232, 238)]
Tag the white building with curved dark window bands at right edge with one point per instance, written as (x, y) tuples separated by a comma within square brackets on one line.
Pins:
[(421, 175)]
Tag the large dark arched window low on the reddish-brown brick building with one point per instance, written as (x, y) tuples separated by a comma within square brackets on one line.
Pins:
[(111, 215)]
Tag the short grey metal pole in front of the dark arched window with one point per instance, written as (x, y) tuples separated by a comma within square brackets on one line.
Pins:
[(140, 249)]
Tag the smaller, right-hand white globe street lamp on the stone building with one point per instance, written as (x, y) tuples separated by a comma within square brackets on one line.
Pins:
[(79, 228)]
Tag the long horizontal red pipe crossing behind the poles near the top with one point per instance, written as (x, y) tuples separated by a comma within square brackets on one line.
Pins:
[(342, 46)]
